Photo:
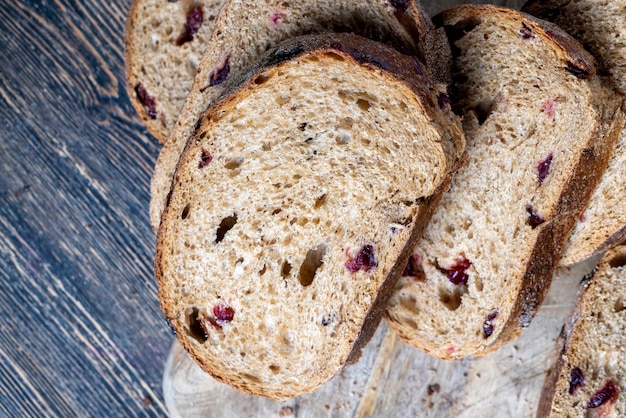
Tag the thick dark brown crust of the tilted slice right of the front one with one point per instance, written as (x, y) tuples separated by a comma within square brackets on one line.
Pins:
[(580, 186)]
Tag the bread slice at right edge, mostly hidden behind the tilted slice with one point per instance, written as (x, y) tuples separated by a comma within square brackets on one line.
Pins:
[(601, 27)]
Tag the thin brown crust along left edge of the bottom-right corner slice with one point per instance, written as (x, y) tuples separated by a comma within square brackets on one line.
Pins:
[(563, 342)]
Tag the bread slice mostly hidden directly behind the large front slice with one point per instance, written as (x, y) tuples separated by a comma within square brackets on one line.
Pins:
[(246, 29)]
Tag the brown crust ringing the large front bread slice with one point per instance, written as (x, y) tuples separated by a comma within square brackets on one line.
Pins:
[(375, 57)]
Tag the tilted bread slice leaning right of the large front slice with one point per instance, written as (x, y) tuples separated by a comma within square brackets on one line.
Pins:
[(540, 128)]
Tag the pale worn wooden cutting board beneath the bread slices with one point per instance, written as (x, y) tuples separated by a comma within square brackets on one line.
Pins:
[(393, 379)]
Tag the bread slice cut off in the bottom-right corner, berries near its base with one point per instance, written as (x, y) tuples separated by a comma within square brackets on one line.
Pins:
[(589, 375)]
